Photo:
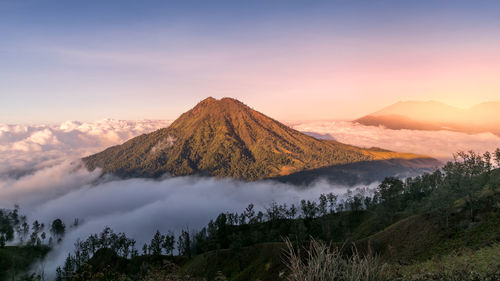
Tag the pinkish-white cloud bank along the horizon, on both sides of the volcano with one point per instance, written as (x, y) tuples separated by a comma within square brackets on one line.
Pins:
[(27, 148)]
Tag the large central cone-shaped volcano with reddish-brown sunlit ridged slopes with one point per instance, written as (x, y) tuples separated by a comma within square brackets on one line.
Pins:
[(226, 138)]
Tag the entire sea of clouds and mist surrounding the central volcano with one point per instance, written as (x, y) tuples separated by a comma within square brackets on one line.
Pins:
[(40, 170)]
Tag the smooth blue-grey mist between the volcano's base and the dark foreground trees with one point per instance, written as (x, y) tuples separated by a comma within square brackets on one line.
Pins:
[(138, 207)]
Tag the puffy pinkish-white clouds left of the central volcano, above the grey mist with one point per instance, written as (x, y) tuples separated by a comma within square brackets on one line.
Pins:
[(26, 148)]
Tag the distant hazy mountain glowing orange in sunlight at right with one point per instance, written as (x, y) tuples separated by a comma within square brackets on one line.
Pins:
[(432, 115)]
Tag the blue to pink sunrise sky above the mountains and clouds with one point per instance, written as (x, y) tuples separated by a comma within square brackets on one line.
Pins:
[(292, 60)]
